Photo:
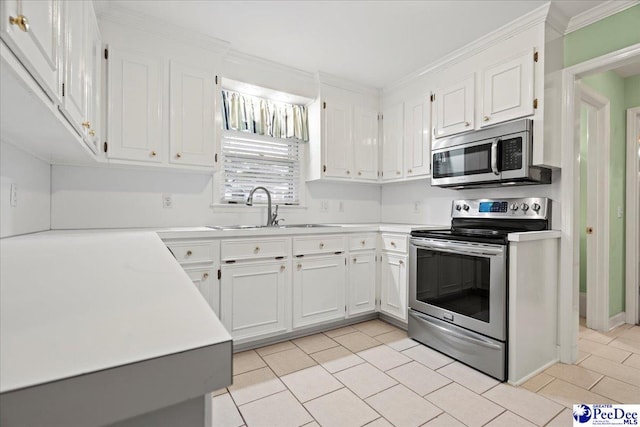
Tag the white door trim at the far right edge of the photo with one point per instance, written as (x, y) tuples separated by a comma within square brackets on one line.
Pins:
[(632, 218)]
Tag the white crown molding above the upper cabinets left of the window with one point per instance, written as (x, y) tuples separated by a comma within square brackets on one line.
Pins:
[(131, 19)]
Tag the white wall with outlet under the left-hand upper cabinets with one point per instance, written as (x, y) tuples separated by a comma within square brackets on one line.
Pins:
[(33, 179)]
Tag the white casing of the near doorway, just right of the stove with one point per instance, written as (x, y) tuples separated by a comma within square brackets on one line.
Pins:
[(568, 292)]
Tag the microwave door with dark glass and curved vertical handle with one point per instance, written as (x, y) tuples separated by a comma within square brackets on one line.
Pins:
[(467, 163)]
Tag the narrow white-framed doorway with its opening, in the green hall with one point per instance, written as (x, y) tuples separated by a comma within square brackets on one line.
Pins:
[(594, 116)]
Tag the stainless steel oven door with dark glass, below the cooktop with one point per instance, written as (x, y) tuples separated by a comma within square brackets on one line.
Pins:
[(461, 283)]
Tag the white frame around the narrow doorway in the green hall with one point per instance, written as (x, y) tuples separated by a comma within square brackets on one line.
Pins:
[(598, 212)]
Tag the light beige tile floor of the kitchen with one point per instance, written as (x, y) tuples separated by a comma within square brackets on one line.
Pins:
[(372, 374)]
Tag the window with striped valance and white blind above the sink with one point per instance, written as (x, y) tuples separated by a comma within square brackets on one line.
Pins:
[(260, 148)]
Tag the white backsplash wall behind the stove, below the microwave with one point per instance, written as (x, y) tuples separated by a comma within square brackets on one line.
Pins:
[(398, 200)]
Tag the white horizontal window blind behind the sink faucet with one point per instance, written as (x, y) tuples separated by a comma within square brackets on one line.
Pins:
[(252, 160)]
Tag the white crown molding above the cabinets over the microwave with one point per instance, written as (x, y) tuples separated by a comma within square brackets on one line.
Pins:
[(531, 19)]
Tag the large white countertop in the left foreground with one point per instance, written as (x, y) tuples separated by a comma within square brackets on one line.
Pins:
[(79, 302)]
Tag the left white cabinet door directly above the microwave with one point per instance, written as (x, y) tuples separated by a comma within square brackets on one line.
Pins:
[(454, 108)]
